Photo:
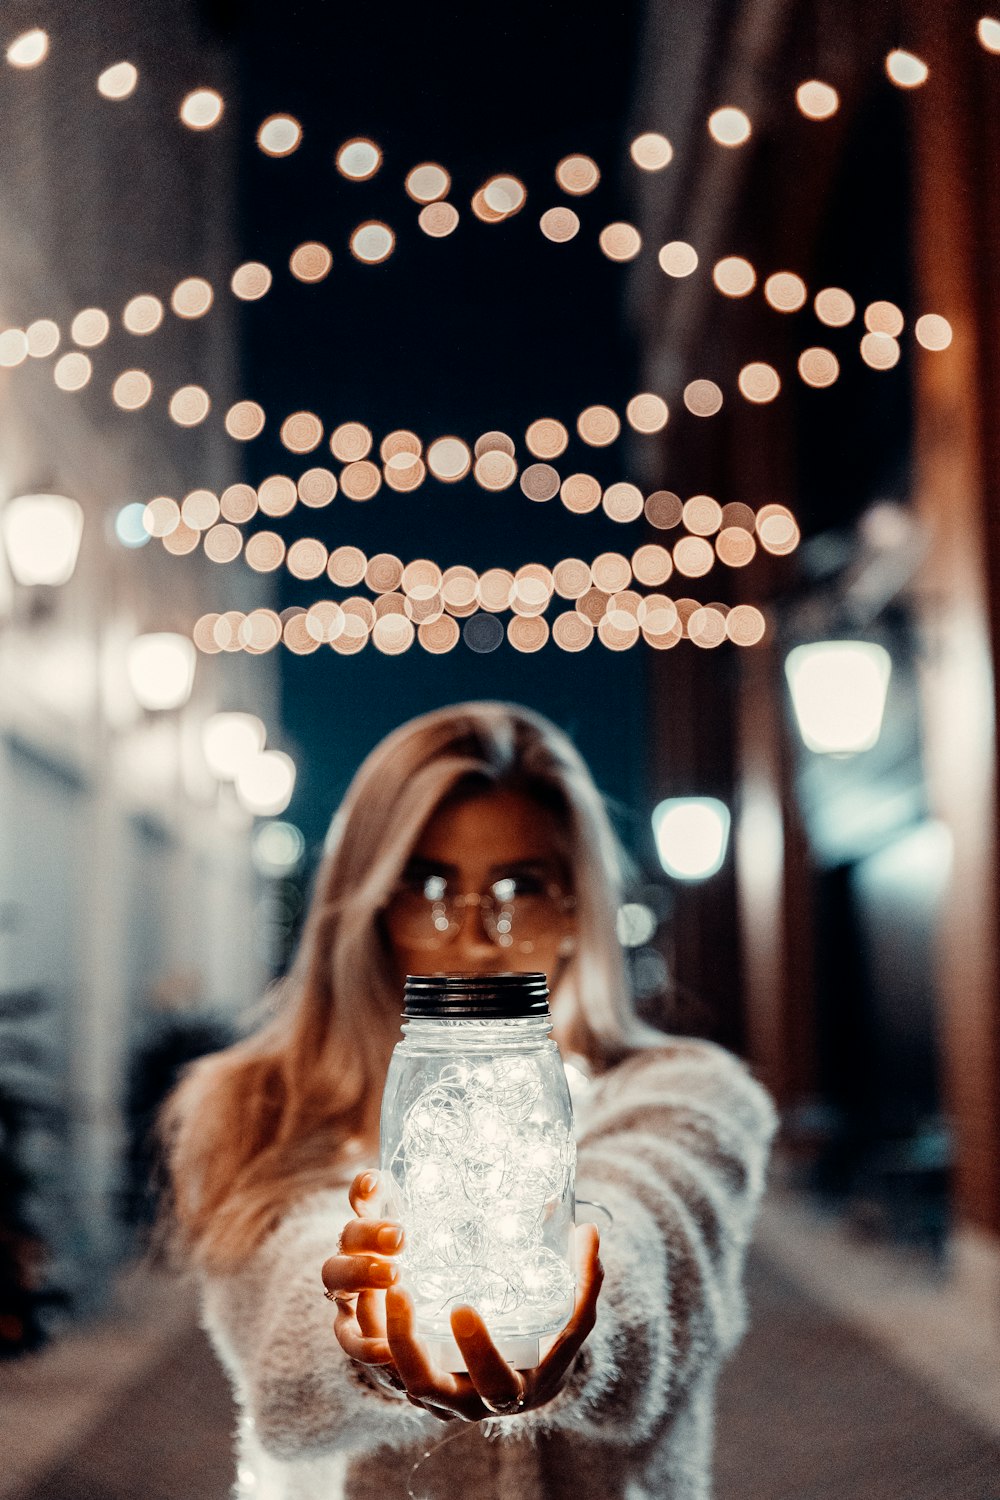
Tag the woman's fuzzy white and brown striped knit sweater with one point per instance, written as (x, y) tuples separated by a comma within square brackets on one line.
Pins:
[(675, 1142)]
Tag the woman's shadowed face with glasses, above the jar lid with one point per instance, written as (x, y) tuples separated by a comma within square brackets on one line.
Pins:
[(500, 844)]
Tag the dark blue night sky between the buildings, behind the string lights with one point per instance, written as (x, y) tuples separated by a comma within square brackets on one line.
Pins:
[(488, 329)]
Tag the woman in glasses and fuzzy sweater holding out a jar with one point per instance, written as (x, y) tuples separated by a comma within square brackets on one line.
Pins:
[(472, 841)]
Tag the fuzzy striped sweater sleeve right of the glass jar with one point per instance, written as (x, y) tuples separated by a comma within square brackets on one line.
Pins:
[(675, 1145)]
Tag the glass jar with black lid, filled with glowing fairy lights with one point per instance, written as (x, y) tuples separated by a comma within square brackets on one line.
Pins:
[(479, 1156)]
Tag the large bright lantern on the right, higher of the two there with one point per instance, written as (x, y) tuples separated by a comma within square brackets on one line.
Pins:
[(839, 692)]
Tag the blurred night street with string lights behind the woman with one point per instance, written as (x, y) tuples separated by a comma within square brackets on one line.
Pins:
[(665, 338)]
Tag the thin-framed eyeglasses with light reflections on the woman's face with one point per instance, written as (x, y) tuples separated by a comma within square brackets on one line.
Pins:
[(518, 911)]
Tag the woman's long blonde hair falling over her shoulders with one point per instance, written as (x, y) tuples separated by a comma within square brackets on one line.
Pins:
[(295, 1108)]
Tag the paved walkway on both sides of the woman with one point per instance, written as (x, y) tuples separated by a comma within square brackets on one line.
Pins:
[(821, 1403)]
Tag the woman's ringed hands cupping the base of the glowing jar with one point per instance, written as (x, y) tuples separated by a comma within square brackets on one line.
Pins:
[(377, 1327)]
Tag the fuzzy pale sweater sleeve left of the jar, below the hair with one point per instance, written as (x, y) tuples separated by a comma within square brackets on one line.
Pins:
[(274, 1333)]
